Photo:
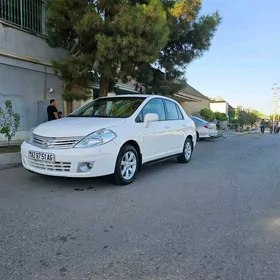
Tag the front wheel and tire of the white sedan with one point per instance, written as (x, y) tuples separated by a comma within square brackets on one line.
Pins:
[(125, 173)]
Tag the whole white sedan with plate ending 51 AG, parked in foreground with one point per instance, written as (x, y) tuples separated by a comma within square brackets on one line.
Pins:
[(111, 135)]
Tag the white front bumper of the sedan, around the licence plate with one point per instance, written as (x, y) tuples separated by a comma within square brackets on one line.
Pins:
[(67, 161)]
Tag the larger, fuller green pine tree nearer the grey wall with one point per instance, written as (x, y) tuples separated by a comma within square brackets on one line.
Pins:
[(106, 41)]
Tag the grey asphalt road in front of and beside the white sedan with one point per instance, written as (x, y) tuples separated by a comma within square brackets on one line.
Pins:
[(217, 218)]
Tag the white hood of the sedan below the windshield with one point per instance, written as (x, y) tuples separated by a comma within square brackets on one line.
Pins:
[(75, 126)]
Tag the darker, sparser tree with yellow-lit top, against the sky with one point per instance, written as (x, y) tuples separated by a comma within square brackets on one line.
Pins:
[(190, 37)]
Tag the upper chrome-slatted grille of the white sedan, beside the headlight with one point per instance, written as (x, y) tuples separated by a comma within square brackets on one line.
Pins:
[(55, 143)]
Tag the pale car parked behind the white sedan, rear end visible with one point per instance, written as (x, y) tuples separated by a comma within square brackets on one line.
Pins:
[(204, 129)]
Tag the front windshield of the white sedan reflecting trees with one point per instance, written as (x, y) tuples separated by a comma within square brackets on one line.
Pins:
[(111, 107)]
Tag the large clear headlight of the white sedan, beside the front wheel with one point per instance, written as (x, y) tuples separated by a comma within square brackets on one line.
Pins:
[(96, 138)]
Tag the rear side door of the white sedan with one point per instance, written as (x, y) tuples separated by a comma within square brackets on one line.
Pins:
[(175, 127)]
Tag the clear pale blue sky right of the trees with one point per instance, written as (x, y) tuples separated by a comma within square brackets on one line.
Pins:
[(243, 63)]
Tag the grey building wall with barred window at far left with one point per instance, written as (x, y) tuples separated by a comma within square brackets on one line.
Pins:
[(26, 76)]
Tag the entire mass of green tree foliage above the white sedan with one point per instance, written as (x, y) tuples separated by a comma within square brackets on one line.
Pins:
[(151, 41)]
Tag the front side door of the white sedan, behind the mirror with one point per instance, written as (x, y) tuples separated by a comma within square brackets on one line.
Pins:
[(154, 137)]
